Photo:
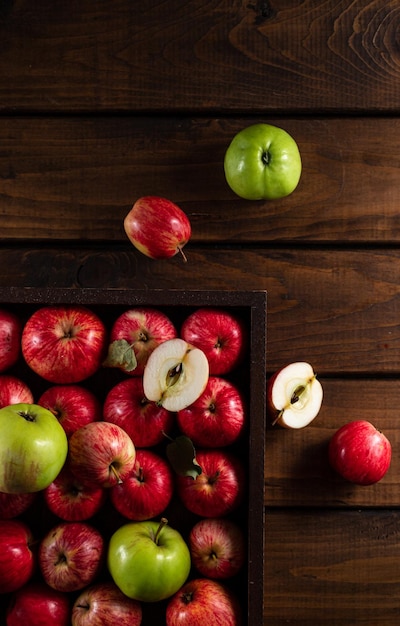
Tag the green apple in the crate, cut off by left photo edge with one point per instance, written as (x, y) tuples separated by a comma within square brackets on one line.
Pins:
[(33, 448)]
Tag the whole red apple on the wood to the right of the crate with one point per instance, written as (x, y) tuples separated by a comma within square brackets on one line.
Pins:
[(360, 453)]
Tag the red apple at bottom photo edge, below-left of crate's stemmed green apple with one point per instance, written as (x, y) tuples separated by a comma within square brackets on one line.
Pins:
[(103, 604)]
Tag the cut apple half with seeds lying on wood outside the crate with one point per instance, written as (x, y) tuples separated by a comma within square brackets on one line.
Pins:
[(294, 395)]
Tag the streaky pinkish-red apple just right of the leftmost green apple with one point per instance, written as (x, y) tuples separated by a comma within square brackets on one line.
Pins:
[(101, 454)]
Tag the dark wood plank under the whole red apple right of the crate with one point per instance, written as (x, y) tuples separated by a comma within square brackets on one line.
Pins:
[(297, 466)]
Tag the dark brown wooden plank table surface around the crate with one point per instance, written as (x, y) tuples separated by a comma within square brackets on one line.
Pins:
[(102, 102)]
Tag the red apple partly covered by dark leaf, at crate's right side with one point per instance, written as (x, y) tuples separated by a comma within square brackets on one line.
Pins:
[(219, 489)]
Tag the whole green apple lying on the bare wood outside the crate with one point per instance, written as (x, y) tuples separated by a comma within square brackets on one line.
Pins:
[(262, 163)]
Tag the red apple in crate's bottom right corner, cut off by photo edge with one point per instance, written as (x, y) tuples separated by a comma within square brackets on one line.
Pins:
[(202, 601)]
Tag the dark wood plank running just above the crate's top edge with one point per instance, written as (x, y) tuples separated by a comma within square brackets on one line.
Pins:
[(337, 309)]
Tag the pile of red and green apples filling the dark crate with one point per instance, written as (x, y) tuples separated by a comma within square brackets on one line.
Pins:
[(122, 467)]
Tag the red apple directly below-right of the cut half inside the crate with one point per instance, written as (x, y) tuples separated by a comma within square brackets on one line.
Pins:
[(217, 418)]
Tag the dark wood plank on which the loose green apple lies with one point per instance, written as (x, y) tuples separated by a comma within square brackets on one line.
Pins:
[(76, 178)]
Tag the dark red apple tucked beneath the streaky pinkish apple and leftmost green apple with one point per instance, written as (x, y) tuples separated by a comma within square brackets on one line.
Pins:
[(71, 500)]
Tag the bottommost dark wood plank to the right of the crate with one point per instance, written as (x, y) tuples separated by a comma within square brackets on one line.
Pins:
[(330, 568)]
